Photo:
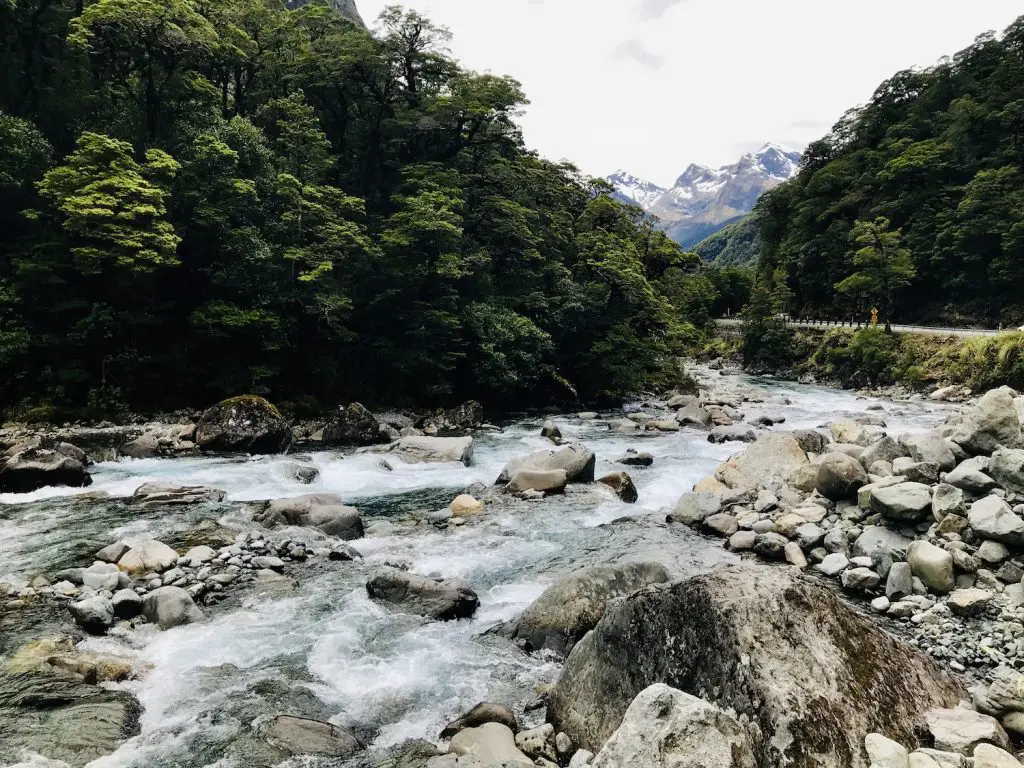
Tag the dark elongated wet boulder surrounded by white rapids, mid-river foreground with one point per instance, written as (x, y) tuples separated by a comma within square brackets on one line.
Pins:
[(439, 600)]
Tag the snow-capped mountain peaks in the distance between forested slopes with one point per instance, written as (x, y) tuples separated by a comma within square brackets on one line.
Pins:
[(704, 200)]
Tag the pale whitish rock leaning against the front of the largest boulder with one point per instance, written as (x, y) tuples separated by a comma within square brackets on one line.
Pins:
[(666, 729)]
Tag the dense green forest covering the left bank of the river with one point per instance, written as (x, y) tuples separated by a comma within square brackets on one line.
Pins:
[(199, 200)]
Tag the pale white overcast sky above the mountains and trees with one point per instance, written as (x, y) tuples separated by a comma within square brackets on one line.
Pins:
[(654, 86)]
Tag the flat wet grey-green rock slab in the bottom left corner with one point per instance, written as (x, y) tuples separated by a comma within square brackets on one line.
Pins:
[(62, 718)]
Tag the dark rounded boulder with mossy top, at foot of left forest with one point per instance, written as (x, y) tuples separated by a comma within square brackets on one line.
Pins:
[(247, 424)]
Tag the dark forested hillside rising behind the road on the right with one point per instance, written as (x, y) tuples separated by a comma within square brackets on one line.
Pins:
[(914, 203)]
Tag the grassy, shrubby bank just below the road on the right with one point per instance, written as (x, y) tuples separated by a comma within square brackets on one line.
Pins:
[(870, 358)]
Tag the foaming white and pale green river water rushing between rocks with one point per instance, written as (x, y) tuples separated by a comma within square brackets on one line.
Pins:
[(326, 651)]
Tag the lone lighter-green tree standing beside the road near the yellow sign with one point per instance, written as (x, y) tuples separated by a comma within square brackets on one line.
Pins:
[(884, 267)]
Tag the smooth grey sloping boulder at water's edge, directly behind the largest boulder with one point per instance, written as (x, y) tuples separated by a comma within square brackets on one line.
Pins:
[(571, 608)]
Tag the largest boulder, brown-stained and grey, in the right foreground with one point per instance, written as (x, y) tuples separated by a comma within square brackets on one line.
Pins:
[(812, 674)]
